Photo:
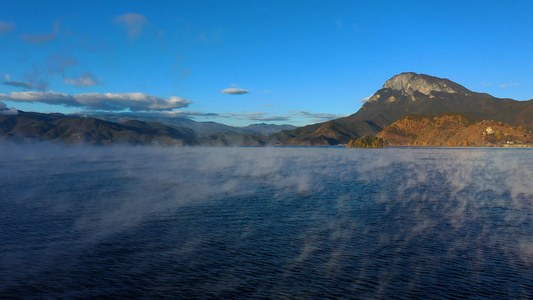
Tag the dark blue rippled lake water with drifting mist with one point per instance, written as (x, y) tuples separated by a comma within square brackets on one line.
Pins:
[(396, 223)]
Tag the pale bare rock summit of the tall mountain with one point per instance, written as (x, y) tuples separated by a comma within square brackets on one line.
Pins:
[(410, 82)]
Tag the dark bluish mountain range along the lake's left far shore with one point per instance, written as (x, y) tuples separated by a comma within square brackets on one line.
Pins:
[(76, 129)]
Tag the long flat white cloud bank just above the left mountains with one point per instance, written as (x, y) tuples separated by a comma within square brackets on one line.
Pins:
[(97, 101)]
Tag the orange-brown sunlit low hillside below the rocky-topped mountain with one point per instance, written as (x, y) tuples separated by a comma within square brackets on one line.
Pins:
[(453, 130)]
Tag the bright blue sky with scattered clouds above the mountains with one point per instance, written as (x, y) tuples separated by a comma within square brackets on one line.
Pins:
[(295, 62)]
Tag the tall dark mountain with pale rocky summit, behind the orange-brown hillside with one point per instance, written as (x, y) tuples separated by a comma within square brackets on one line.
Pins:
[(411, 93)]
